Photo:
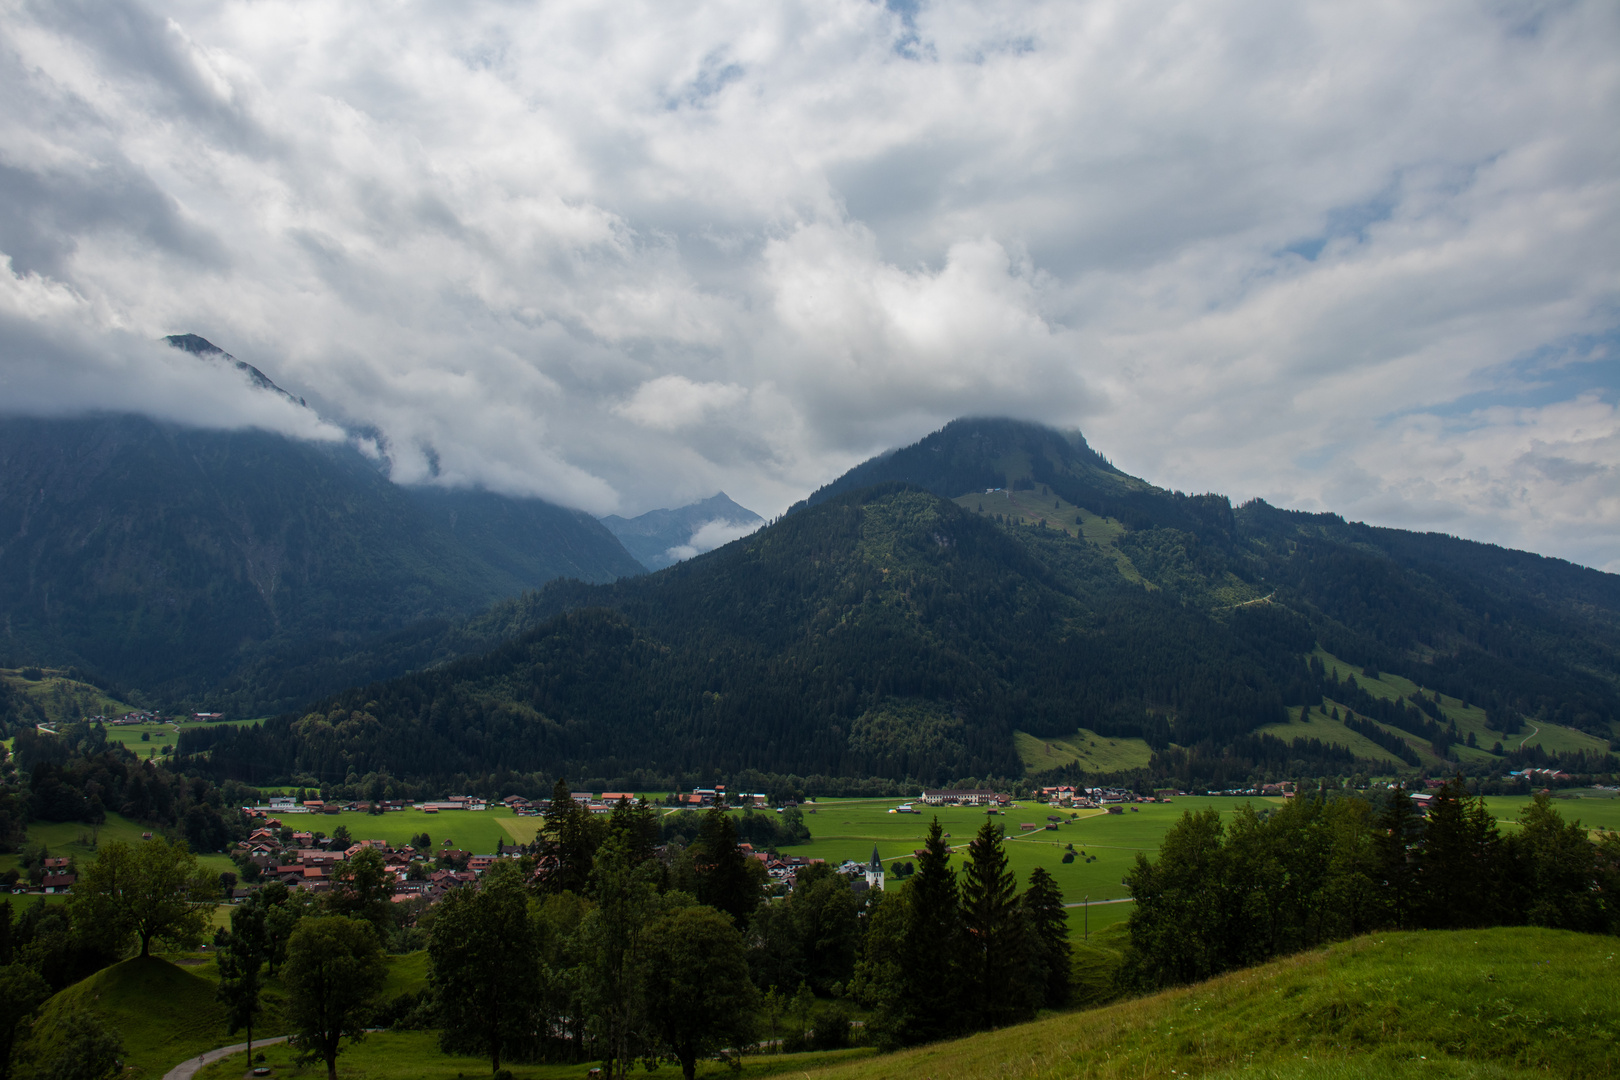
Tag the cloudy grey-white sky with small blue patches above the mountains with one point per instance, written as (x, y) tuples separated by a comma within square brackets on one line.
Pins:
[(1352, 257)]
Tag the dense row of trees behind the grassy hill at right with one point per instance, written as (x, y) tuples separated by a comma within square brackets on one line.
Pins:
[(1326, 867)]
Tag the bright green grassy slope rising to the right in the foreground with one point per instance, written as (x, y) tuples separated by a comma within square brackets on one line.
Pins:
[(1493, 1003)]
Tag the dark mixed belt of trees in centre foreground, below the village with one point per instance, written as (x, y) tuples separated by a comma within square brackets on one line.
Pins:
[(605, 945)]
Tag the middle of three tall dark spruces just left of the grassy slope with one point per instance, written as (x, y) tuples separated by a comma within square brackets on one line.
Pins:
[(992, 951)]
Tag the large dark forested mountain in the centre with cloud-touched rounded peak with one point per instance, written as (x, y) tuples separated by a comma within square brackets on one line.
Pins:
[(898, 634)]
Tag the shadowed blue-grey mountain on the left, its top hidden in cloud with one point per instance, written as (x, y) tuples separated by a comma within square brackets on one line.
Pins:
[(231, 568)]
